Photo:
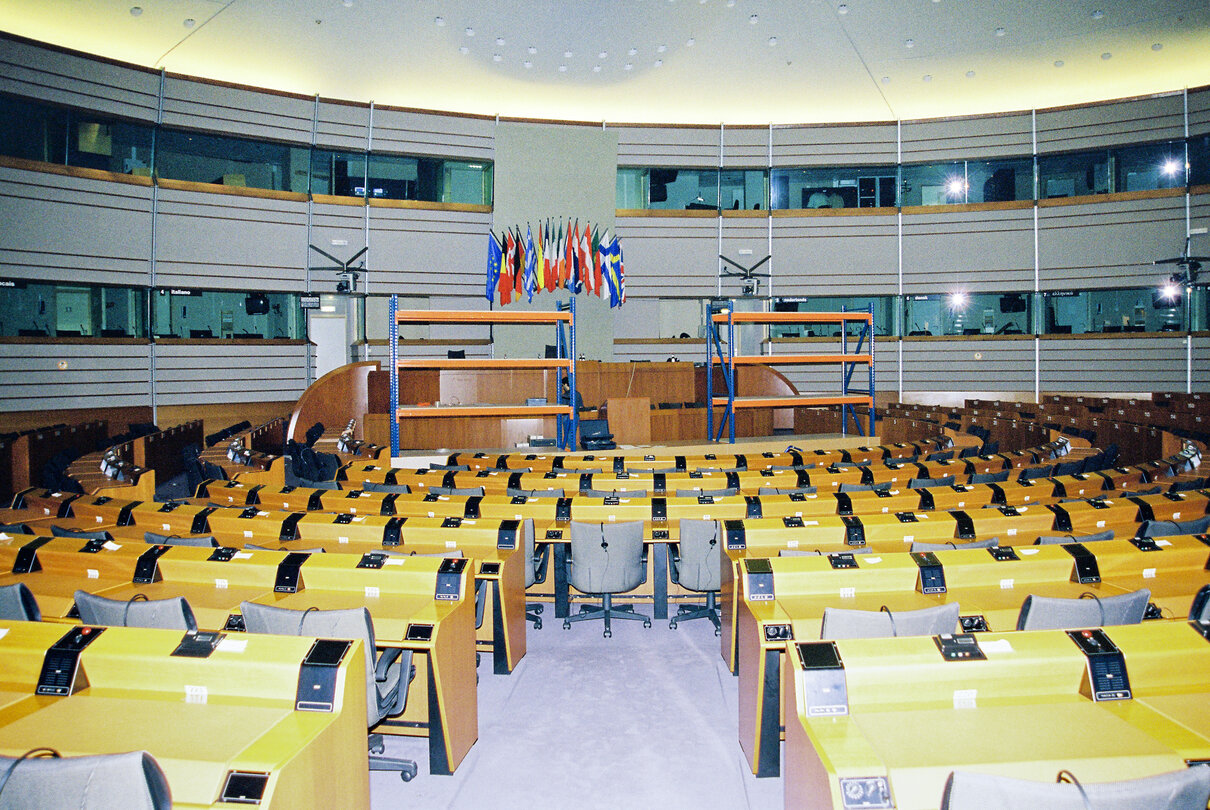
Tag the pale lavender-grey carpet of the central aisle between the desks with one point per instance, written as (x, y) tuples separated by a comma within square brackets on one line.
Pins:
[(646, 719)]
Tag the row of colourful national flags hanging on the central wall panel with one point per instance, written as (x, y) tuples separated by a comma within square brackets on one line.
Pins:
[(562, 255)]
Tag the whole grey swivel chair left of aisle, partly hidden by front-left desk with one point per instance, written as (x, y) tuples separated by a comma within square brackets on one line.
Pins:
[(387, 677)]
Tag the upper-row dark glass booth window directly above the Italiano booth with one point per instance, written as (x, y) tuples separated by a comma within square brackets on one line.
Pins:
[(232, 162)]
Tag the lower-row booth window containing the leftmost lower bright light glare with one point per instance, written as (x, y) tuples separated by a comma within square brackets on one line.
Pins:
[(940, 314)]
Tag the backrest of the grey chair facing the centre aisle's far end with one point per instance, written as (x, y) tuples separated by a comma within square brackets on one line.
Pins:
[(607, 558)]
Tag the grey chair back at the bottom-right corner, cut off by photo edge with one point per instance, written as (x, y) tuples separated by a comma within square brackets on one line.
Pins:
[(1184, 790)]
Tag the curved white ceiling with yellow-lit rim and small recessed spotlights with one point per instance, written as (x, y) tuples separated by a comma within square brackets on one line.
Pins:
[(658, 61)]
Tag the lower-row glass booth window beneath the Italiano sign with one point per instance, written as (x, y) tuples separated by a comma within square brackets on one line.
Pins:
[(206, 314)]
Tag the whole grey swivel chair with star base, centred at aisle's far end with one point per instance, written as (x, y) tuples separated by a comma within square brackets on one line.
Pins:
[(607, 559)]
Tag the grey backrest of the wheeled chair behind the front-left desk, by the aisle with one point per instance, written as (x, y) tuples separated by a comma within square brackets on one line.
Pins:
[(353, 624)]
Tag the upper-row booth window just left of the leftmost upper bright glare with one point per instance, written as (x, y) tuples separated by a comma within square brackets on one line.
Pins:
[(844, 187)]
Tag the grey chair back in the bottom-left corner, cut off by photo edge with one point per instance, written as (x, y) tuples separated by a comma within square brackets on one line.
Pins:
[(125, 782)]
